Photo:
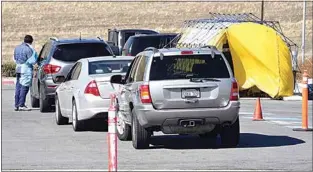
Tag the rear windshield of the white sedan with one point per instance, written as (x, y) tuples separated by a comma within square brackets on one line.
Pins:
[(108, 66)]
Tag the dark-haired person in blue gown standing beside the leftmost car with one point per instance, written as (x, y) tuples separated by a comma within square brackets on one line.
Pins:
[(21, 54)]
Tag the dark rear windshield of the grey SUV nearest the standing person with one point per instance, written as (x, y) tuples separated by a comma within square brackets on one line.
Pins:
[(74, 52)]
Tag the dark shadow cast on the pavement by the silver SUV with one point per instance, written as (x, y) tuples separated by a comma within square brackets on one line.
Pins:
[(247, 140)]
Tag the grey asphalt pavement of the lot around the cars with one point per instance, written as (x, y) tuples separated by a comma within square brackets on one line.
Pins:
[(33, 141)]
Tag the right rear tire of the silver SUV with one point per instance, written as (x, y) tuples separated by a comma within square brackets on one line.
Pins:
[(230, 135)]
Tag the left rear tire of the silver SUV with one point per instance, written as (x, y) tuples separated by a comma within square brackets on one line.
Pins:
[(140, 136)]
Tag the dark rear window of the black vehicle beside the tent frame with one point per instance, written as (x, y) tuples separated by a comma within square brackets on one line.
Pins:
[(141, 43)]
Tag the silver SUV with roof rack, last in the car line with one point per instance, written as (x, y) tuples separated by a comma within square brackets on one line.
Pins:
[(178, 91)]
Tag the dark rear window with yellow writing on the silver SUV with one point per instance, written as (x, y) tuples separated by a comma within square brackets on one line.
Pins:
[(188, 66)]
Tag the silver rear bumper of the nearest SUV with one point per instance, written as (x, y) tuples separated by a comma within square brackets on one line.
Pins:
[(149, 117)]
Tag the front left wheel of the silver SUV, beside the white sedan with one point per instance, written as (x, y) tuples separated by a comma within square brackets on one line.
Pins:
[(123, 130)]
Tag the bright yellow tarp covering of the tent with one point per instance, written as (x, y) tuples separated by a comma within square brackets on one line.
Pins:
[(260, 58)]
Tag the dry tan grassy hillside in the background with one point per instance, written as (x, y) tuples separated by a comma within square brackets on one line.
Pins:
[(68, 19)]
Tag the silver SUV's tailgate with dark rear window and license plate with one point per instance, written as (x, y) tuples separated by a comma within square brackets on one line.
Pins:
[(193, 81)]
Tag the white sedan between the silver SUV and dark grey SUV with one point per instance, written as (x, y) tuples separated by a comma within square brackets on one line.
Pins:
[(85, 92)]
